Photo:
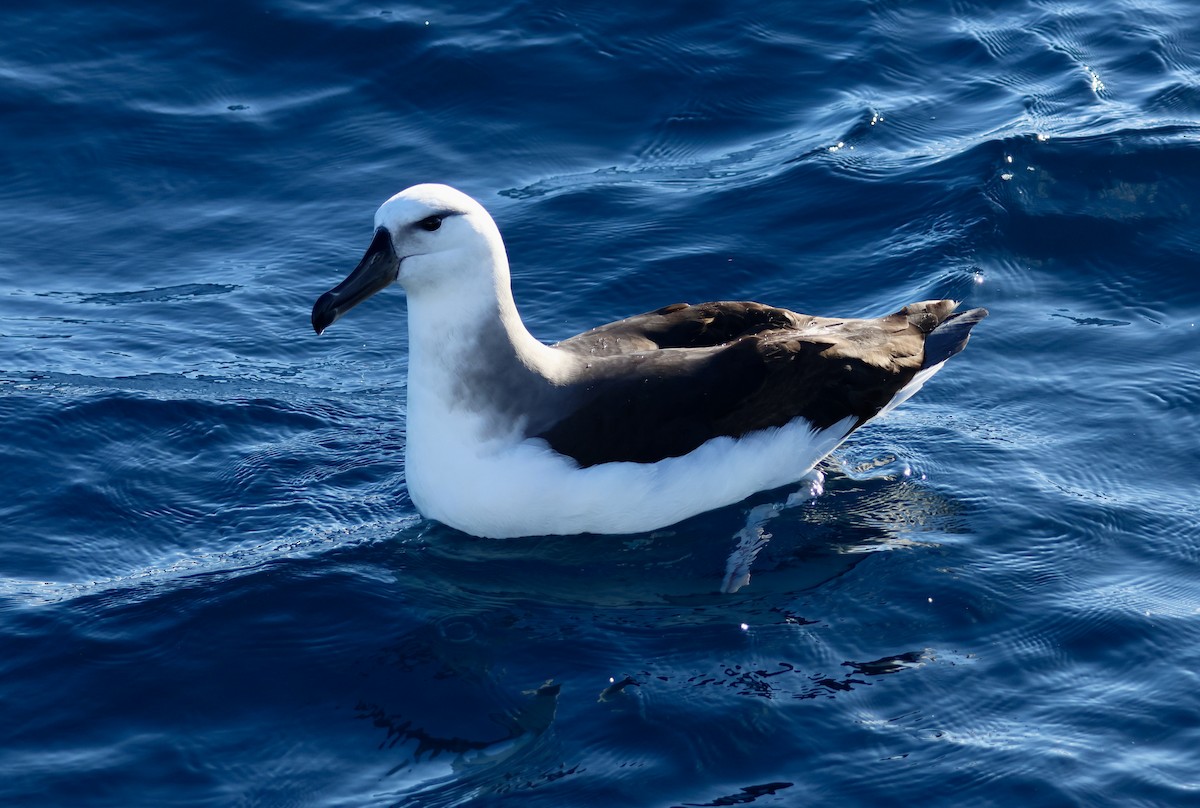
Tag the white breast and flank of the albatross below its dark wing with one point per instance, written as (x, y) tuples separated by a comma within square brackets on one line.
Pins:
[(501, 489)]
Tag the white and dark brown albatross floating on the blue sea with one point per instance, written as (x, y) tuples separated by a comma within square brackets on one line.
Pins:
[(627, 428)]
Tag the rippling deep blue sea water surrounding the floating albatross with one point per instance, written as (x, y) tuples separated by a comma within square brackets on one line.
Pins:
[(215, 591)]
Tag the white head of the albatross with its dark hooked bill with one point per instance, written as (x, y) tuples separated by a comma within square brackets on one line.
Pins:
[(433, 241)]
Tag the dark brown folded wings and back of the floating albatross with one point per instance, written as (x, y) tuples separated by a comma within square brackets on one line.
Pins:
[(665, 382)]
